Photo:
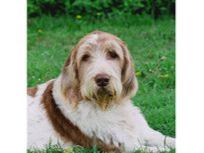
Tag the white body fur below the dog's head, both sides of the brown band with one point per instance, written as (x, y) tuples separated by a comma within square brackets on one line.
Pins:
[(122, 123)]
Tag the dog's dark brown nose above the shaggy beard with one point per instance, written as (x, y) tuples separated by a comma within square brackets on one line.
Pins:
[(102, 79)]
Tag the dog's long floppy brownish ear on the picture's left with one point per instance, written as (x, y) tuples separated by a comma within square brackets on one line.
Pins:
[(69, 79)]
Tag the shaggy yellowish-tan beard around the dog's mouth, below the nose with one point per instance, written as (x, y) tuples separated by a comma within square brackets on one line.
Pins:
[(103, 96)]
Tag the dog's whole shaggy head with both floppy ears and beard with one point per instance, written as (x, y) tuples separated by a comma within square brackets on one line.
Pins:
[(99, 69)]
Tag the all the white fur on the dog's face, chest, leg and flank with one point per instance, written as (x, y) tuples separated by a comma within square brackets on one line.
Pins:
[(121, 124)]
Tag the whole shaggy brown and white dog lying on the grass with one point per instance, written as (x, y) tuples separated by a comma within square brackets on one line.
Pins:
[(89, 103)]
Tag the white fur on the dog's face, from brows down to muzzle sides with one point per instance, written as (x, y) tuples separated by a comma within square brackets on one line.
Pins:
[(99, 64)]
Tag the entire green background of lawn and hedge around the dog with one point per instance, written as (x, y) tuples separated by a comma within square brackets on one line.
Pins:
[(147, 27)]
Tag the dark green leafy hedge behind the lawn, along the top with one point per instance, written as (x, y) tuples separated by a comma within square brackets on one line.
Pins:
[(100, 8)]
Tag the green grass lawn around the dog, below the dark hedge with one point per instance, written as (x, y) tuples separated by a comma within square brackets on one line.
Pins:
[(151, 43)]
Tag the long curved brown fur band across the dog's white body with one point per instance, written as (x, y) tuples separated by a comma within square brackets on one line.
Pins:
[(64, 126)]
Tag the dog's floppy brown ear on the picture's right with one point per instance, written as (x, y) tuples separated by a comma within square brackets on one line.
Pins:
[(129, 80)]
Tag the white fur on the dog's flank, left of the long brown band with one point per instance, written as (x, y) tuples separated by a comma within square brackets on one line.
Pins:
[(40, 130)]
